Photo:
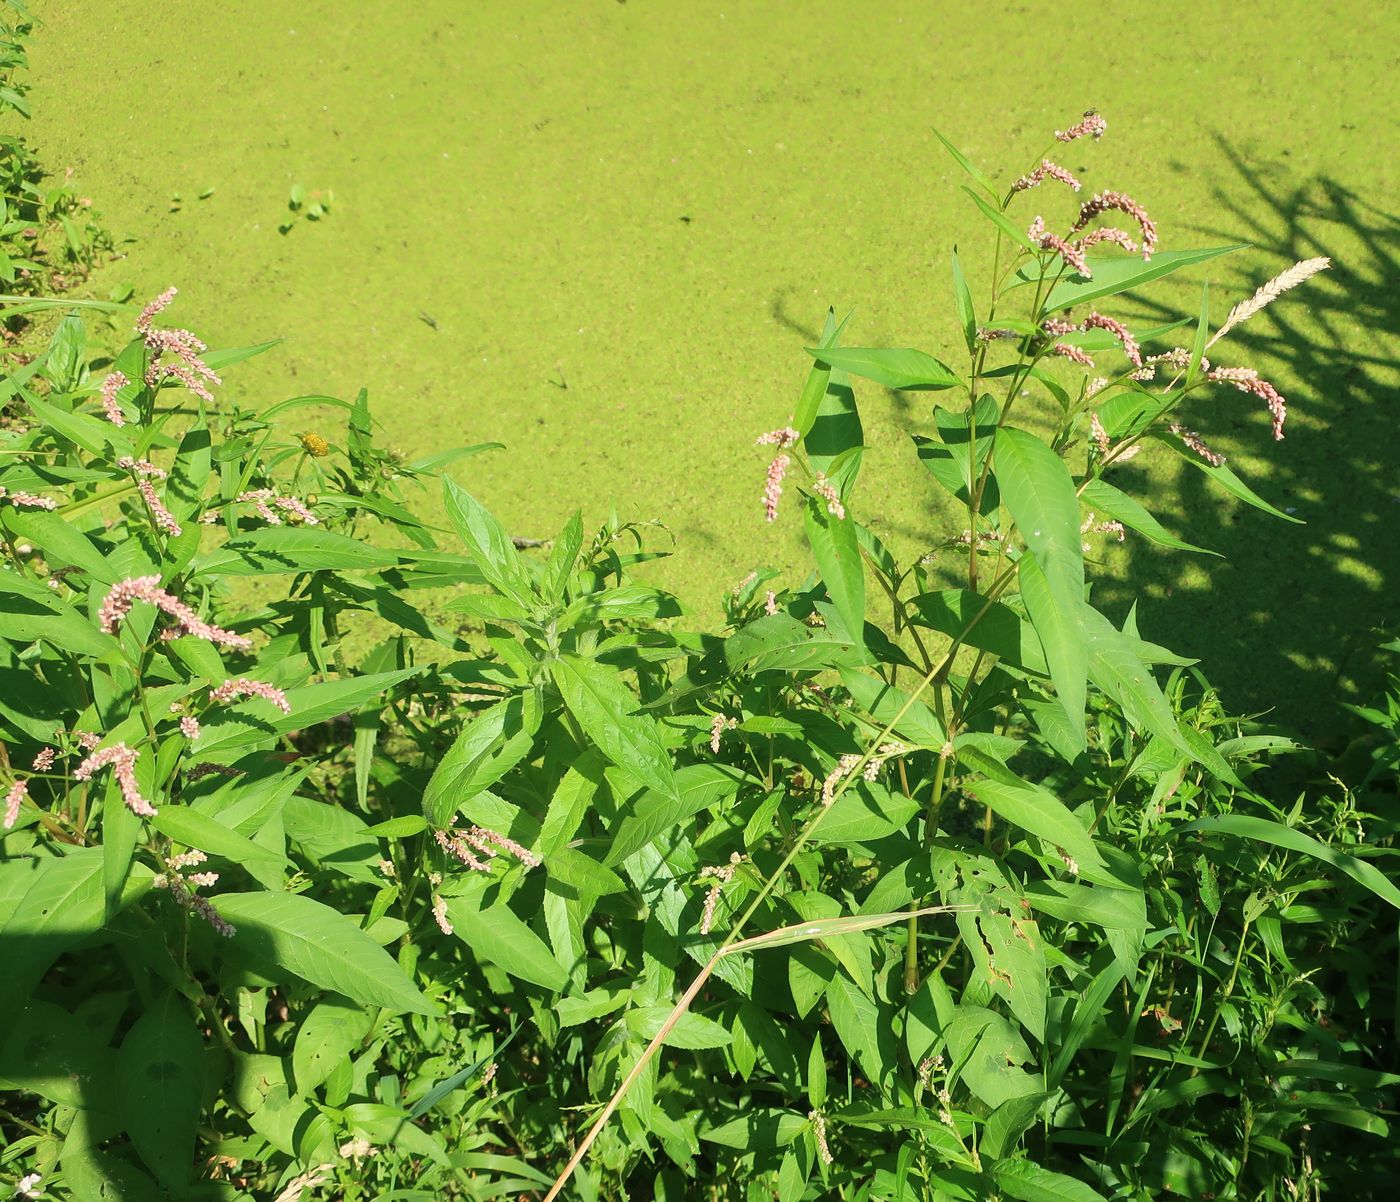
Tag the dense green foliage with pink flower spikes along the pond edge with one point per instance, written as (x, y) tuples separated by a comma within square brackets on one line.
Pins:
[(919, 881)]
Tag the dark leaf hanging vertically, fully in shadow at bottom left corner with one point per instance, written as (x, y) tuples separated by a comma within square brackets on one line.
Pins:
[(160, 1084)]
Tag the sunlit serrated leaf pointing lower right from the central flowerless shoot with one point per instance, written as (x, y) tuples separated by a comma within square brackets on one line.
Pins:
[(607, 709)]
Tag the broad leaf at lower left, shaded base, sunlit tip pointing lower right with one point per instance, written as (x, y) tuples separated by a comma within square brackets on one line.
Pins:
[(290, 933)]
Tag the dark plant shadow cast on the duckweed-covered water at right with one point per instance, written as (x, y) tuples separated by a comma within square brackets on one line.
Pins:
[(1289, 621)]
